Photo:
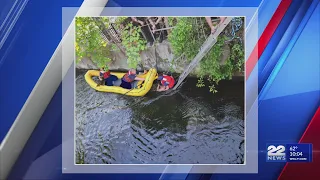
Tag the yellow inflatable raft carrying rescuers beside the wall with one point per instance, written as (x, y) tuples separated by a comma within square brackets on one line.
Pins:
[(143, 87)]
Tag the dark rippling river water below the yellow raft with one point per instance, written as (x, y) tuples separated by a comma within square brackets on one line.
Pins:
[(188, 126)]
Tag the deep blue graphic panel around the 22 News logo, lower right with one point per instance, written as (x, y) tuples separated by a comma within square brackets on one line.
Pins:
[(281, 120)]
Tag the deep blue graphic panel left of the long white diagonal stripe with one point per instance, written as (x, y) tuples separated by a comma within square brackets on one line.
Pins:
[(26, 52)]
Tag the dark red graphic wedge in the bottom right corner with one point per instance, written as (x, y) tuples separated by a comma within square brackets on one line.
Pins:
[(306, 170)]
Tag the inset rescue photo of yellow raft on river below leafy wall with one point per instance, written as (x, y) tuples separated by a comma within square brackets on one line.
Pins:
[(160, 90)]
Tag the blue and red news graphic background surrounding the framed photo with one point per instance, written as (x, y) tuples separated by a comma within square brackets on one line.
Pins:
[(287, 63)]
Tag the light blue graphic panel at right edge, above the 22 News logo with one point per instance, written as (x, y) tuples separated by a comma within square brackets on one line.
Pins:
[(300, 73)]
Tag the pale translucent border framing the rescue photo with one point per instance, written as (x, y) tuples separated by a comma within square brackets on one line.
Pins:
[(68, 92)]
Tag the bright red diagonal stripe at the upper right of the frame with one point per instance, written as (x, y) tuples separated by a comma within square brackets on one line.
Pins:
[(266, 36)]
